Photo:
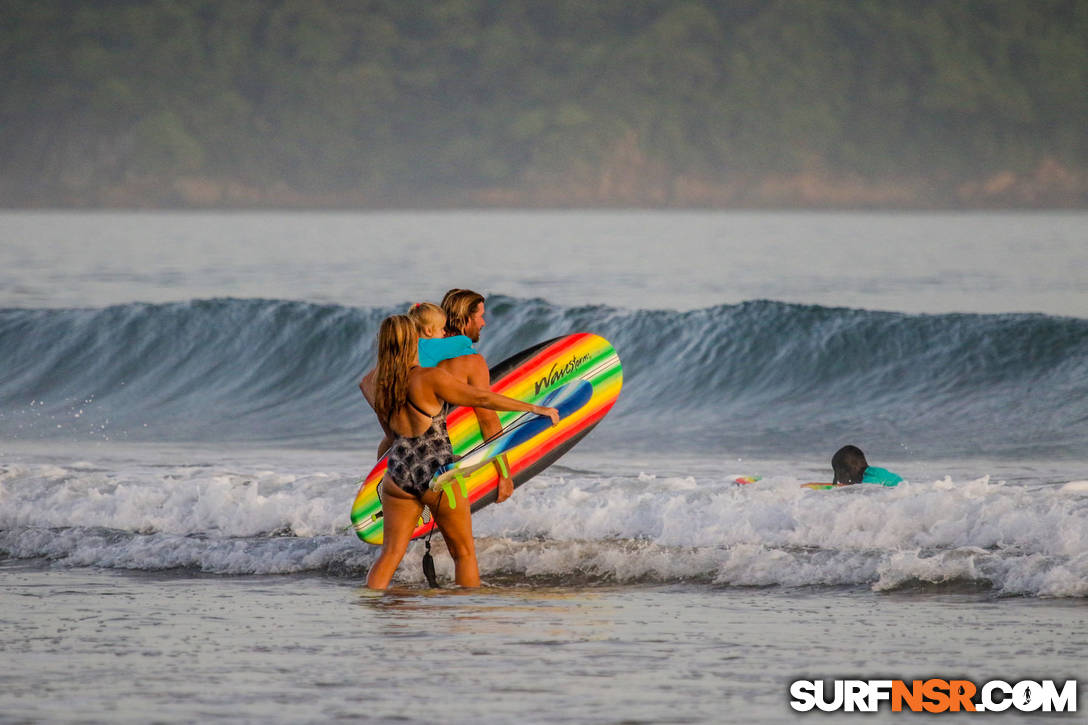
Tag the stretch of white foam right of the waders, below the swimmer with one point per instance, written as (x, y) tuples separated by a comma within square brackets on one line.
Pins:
[(1012, 538)]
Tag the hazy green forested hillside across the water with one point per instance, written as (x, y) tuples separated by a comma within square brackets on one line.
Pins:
[(664, 103)]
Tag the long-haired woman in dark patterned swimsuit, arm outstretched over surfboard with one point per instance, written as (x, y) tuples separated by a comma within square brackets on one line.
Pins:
[(412, 404)]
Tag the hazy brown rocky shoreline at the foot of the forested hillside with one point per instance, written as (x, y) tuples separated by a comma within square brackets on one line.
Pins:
[(1049, 187)]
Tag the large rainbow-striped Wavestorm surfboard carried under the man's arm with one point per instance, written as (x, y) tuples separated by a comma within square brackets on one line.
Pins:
[(582, 375)]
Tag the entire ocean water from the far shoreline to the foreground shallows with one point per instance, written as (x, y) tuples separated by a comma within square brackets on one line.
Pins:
[(181, 438)]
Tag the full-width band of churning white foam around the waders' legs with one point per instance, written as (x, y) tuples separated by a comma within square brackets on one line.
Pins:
[(640, 527)]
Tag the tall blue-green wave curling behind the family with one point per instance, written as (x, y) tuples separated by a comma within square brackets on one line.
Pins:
[(760, 376)]
